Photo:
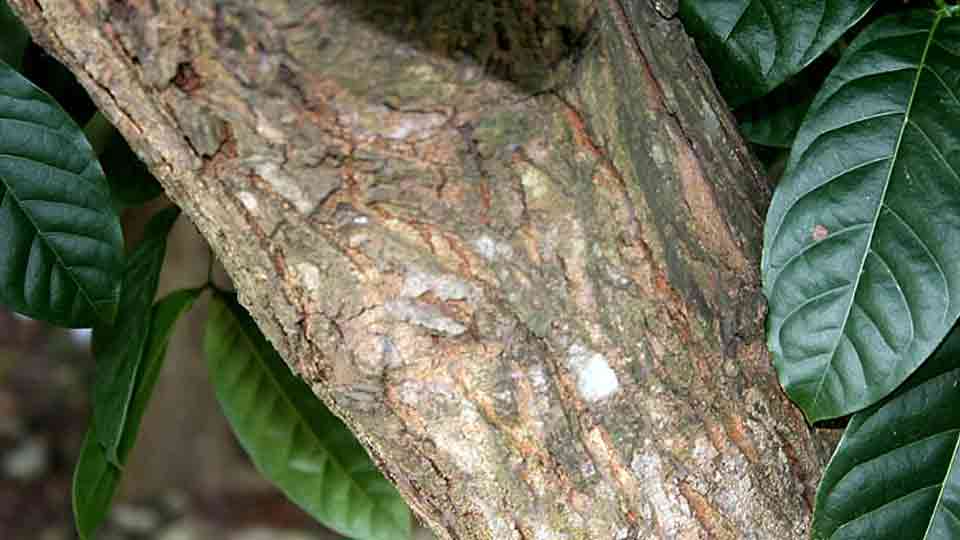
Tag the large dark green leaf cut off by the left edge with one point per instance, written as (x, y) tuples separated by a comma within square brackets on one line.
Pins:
[(60, 241)]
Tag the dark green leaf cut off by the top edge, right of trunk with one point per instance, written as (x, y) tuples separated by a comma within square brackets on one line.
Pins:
[(754, 45)]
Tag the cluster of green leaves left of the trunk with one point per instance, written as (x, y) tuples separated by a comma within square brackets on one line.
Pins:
[(63, 260)]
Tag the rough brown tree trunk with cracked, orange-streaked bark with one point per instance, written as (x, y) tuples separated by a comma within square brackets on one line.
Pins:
[(513, 243)]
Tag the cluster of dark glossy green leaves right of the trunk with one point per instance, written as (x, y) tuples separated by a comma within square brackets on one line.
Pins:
[(860, 267)]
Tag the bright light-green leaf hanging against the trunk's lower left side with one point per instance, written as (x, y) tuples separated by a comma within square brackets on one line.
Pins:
[(291, 437)]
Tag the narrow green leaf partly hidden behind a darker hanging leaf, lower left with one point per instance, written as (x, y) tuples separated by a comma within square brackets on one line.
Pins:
[(95, 478)]
